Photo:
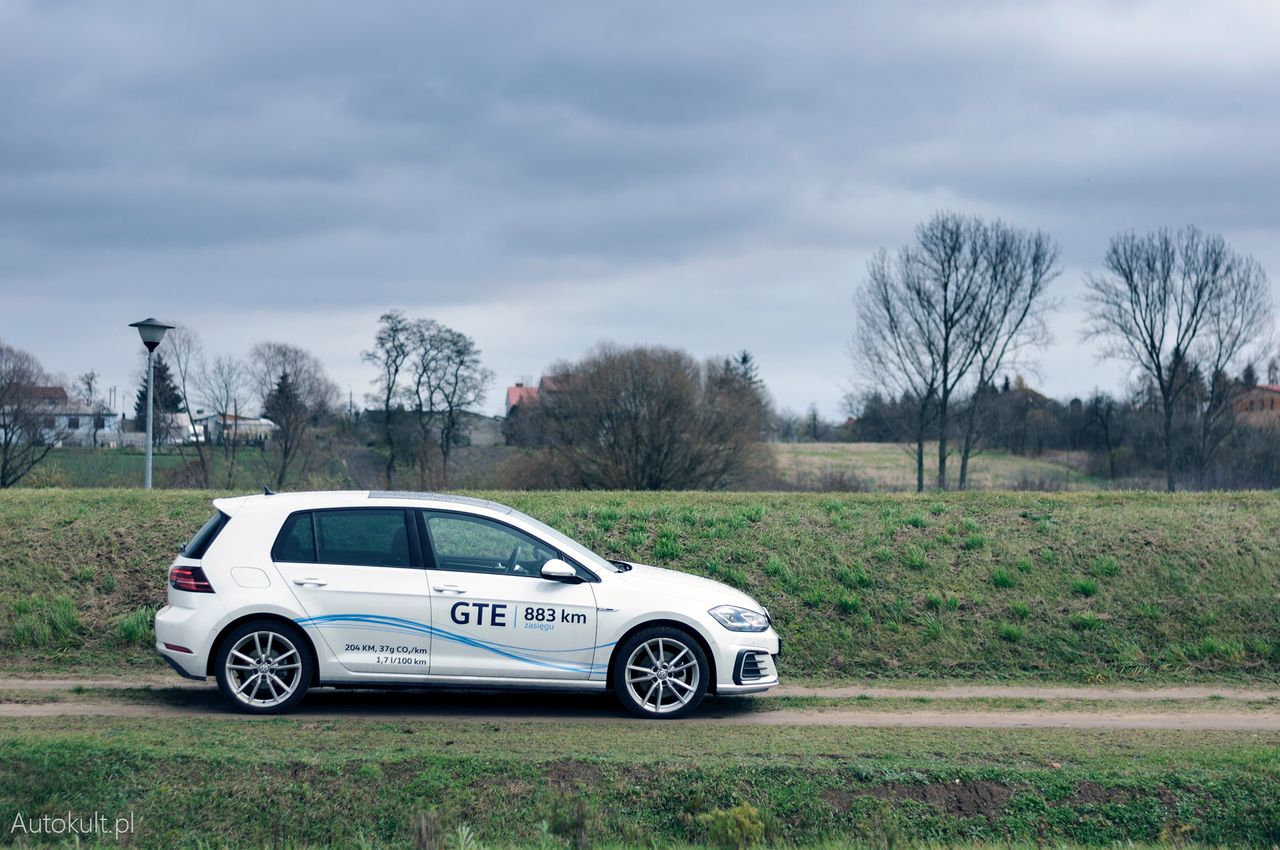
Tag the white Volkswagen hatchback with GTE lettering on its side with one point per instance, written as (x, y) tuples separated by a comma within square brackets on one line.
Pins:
[(280, 593)]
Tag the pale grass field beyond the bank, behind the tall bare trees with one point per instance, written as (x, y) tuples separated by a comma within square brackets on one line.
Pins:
[(892, 467)]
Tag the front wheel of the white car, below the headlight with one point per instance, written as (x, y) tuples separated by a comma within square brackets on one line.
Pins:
[(661, 673)]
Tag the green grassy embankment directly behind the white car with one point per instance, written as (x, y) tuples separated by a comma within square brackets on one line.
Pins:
[(1082, 587)]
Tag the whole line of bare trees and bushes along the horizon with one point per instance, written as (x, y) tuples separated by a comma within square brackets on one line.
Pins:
[(941, 325)]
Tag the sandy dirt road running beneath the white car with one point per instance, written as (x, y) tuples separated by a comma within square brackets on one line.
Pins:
[(1177, 709)]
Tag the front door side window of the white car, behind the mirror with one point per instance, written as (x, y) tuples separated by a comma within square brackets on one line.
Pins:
[(474, 545)]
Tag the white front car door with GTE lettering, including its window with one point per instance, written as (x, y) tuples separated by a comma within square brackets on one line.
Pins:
[(495, 615)]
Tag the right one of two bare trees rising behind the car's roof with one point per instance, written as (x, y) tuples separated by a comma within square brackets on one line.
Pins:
[(446, 380)]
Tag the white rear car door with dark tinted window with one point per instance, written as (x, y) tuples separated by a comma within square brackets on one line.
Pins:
[(358, 574)]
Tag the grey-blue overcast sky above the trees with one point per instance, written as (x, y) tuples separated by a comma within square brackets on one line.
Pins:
[(547, 176)]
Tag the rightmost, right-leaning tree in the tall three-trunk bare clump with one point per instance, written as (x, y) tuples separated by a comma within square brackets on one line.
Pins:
[(1016, 272)]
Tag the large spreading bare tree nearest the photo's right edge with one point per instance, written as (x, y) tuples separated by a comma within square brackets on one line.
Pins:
[(1155, 303)]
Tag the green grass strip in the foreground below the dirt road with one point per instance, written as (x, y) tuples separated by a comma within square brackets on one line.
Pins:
[(353, 783)]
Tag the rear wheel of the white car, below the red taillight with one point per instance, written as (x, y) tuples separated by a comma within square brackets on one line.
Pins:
[(264, 668)]
